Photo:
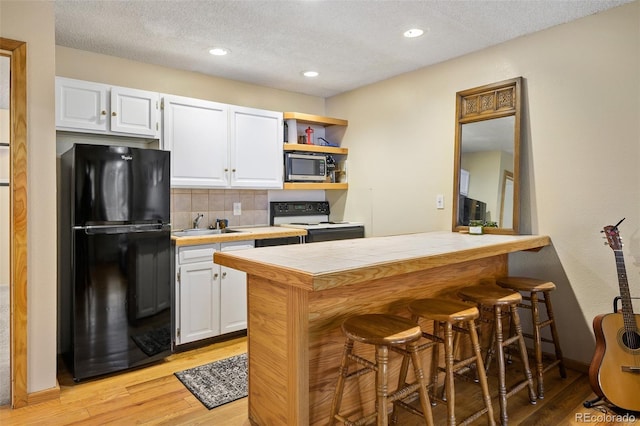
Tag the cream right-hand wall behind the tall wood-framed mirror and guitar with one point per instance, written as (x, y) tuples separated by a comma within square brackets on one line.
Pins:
[(580, 154)]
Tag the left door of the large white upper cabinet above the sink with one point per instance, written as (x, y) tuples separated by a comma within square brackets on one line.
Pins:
[(195, 132)]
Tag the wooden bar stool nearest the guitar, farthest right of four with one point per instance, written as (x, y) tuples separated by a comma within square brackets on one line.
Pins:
[(535, 289)]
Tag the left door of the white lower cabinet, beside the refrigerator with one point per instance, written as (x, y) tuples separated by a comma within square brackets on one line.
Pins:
[(199, 301)]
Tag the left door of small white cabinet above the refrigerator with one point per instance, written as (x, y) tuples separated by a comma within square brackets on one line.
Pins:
[(81, 105)]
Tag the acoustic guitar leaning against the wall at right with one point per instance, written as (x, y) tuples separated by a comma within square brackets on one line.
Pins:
[(614, 373)]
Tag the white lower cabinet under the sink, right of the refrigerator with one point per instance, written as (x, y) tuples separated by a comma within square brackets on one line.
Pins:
[(210, 299)]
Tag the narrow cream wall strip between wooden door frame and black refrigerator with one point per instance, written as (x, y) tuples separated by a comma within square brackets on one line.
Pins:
[(33, 23)]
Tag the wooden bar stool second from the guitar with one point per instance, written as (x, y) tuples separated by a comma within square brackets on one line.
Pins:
[(498, 298)]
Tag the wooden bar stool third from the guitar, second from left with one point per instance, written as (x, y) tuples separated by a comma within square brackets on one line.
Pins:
[(449, 316)]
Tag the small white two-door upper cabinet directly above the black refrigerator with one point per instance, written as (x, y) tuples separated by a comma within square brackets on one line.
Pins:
[(84, 106)]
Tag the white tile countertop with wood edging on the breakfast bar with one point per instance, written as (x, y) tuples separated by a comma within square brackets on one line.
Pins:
[(329, 264)]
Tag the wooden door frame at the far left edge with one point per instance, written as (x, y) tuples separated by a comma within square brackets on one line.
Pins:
[(18, 220)]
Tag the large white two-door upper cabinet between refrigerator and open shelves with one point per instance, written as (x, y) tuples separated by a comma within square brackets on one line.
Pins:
[(217, 145)]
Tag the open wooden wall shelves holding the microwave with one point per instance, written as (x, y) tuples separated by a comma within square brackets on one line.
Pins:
[(323, 130)]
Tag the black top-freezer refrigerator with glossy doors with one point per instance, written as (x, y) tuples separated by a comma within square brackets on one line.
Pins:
[(115, 297)]
